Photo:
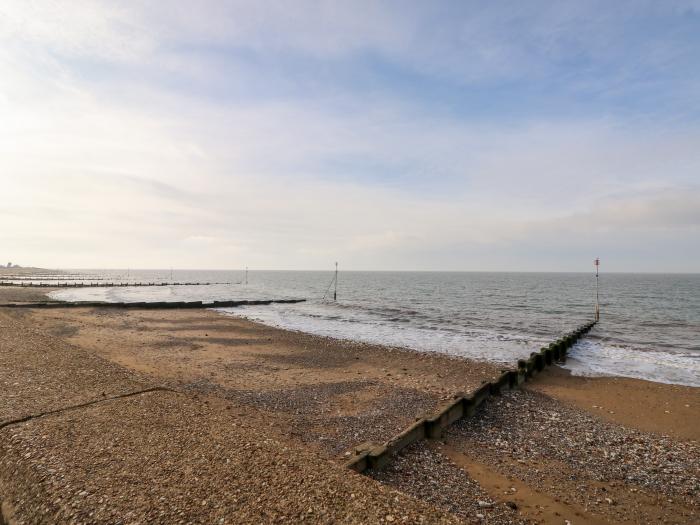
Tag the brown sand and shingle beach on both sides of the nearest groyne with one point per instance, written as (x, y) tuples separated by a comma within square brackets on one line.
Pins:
[(191, 416)]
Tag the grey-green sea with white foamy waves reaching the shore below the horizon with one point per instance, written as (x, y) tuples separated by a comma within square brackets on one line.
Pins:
[(650, 323)]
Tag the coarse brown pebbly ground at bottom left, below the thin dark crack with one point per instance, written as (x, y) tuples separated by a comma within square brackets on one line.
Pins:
[(135, 457)]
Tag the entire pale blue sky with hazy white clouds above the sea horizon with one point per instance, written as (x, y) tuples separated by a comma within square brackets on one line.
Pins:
[(505, 136)]
